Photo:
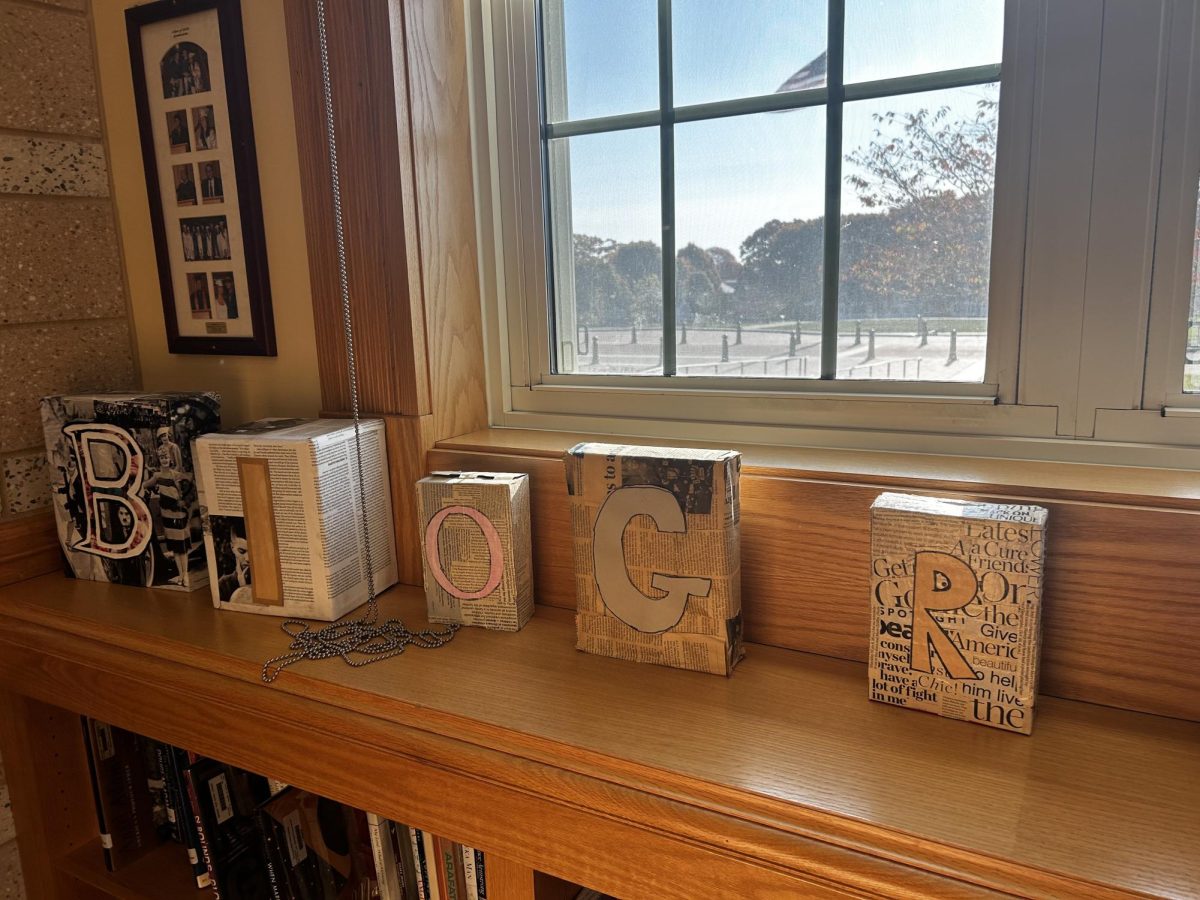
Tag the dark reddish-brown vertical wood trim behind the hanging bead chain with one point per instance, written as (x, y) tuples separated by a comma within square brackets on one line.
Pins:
[(381, 227)]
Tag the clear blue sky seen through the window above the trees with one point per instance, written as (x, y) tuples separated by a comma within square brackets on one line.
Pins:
[(735, 175)]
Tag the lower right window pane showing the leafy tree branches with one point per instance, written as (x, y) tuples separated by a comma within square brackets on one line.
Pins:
[(916, 236)]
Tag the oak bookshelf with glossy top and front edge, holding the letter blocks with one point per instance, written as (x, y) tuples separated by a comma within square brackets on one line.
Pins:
[(640, 782)]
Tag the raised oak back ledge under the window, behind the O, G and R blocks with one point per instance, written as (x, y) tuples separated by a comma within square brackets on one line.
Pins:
[(1121, 569)]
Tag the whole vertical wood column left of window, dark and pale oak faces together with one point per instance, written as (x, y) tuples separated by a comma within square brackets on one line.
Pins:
[(400, 93)]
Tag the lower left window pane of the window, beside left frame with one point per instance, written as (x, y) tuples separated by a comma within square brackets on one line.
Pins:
[(605, 230)]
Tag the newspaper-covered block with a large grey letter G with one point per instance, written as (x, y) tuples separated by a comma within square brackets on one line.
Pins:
[(657, 555)]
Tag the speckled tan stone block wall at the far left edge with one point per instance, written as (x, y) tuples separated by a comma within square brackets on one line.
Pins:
[(63, 310)]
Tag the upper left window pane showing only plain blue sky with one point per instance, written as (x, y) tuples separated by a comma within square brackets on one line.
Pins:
[(601, 58)]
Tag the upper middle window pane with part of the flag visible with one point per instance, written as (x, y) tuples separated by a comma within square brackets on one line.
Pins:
[(724, 51)]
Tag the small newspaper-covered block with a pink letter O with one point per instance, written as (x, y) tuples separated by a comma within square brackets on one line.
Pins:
[(477, 549)]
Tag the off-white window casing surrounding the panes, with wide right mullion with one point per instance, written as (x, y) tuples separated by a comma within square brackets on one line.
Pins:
[(1097, 167)]
